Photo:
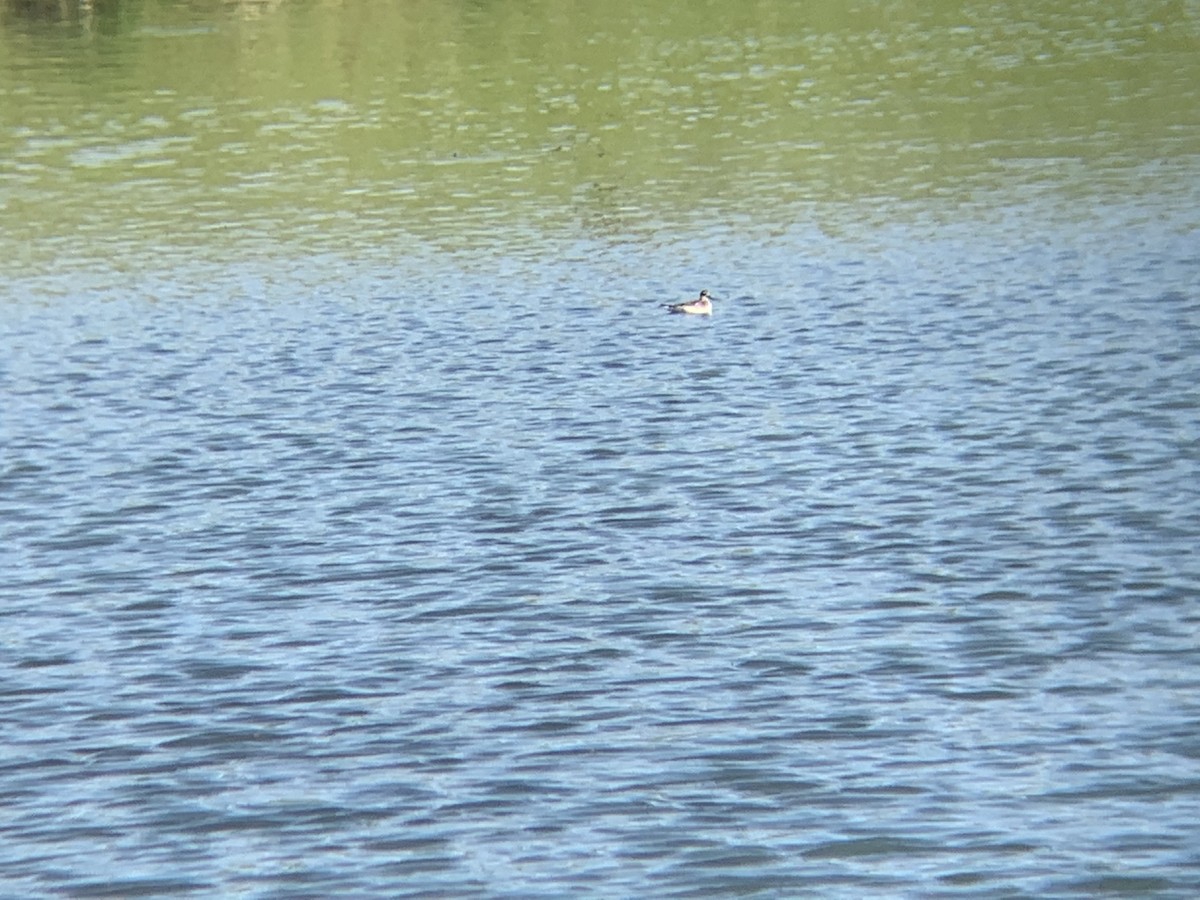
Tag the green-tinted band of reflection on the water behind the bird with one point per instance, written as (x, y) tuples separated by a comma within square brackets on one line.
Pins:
[(217, 127)]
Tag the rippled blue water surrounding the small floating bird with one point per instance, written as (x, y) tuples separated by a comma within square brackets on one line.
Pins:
[(481, 575)]
